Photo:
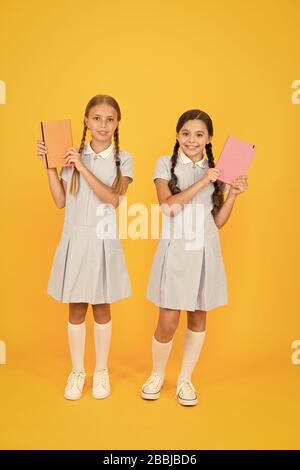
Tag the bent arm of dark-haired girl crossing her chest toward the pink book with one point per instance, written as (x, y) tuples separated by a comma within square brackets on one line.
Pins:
[(170, 203)]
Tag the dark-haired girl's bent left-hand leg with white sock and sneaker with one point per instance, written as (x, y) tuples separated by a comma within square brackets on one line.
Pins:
[(162, 342)]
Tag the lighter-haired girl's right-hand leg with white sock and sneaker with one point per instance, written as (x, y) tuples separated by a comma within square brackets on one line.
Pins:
[(102, 336)]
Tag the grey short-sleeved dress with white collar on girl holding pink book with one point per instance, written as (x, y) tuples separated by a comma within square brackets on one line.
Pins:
[(183, 279)]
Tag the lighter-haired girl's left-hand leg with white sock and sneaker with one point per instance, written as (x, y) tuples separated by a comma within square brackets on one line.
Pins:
[(76, 335)]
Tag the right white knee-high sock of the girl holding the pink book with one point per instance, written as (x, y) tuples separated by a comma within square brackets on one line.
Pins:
[(192, 347)]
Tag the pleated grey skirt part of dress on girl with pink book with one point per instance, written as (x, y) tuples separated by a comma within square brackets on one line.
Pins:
[(188, 280)]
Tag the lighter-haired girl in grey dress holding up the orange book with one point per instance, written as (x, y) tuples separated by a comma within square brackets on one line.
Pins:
[(89, 268)]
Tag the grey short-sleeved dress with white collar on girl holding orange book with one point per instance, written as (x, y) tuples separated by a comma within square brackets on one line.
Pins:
[(87, 268)]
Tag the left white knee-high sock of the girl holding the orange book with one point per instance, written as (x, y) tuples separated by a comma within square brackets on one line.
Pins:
[(76, 335)]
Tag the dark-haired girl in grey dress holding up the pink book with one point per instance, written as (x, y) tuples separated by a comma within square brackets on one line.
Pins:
[(185, 278)]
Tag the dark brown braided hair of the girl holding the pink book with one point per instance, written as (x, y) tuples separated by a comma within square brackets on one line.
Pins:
[(218, 195)]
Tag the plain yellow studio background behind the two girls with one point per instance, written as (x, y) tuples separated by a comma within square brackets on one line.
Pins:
[(235, 60)]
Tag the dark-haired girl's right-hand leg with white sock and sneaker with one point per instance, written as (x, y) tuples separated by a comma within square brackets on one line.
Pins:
[(194, 339)]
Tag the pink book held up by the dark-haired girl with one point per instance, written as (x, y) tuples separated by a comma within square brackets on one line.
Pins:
[(234, 159)]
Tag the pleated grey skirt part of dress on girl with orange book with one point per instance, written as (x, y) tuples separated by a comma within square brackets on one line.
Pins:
[(88, 269)]
